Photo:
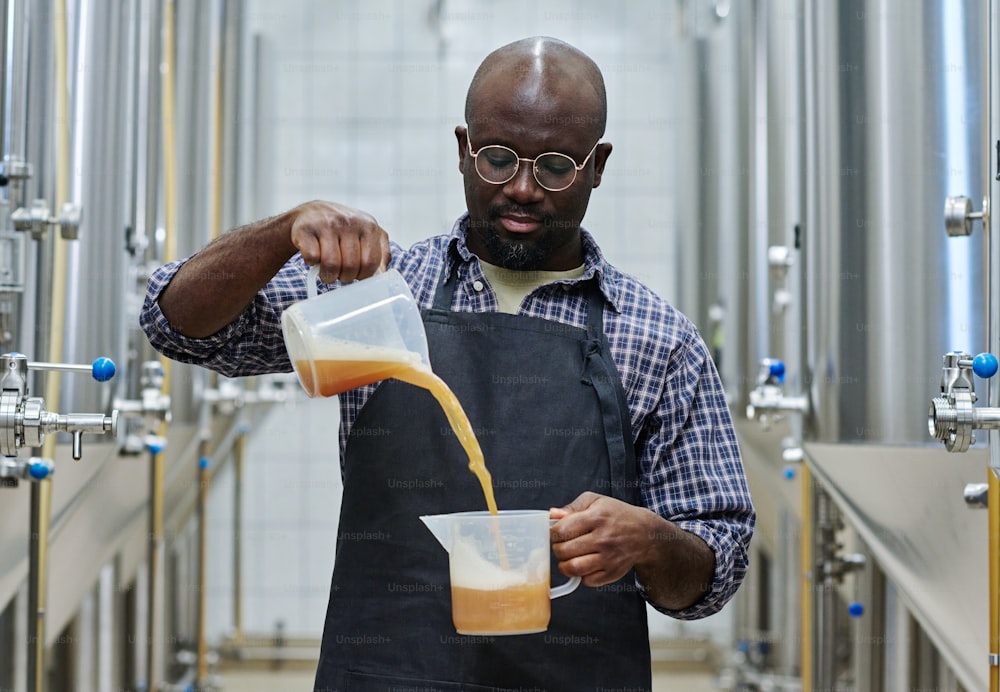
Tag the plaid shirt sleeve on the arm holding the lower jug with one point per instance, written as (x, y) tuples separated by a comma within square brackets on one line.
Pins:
[(693, 474)]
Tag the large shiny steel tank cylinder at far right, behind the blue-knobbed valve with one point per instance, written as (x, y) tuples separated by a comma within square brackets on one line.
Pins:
[(895, 101)]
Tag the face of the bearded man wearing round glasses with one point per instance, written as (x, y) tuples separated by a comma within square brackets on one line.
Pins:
[(519, 224)]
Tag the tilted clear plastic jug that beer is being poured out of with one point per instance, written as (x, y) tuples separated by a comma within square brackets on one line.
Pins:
[(354, 335)]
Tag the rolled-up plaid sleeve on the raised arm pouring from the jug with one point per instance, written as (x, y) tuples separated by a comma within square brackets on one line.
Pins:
[(252, 344)]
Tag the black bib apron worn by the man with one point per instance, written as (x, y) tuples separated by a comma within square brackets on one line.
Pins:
[(548, 408)]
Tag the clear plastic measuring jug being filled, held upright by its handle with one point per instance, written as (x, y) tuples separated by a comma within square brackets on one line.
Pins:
[(500, 574)]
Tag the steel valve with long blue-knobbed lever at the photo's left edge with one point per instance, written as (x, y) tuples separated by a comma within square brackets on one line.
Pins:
[(24, 420)]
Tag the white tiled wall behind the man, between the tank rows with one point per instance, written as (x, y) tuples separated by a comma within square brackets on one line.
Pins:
[(356, 101)]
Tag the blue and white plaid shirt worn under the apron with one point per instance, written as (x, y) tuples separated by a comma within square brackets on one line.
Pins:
[(690, 467)]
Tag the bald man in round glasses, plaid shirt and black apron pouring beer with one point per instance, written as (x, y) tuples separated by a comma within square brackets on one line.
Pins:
[(593, 397)]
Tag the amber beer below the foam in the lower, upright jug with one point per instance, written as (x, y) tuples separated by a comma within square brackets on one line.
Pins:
[(518, 609)]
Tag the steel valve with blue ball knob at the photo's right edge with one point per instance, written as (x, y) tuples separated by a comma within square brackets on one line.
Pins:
[(952, 417)]
